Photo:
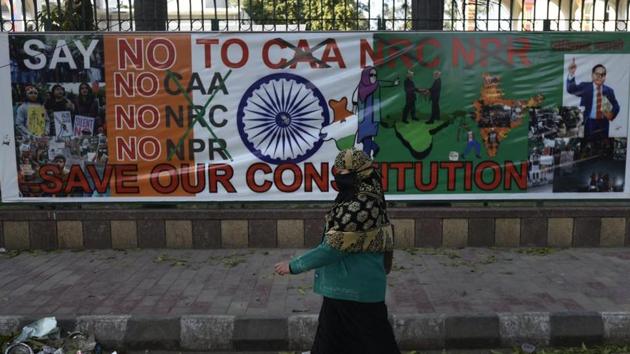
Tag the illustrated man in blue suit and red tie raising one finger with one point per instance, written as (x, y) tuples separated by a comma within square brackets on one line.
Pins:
[(598, 100)]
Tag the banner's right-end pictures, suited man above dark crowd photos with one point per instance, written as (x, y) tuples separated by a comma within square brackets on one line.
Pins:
[(595, 95)]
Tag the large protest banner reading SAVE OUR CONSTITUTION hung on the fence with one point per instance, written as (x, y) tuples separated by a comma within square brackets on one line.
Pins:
[(261, 116)]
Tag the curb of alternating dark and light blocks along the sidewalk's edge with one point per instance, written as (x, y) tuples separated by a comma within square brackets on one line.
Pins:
[(413, 332)]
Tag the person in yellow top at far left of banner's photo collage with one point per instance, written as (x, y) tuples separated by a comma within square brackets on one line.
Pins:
[(31, 118)]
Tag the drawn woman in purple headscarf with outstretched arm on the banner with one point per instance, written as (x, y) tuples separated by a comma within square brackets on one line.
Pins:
[(369, 112)]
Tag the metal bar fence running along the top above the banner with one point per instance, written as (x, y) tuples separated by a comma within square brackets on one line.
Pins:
[(313, 15)]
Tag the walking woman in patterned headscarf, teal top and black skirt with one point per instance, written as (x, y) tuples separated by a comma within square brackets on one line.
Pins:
[(350, 264)]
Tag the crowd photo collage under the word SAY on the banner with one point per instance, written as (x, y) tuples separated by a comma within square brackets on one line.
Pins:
[(58, 93)]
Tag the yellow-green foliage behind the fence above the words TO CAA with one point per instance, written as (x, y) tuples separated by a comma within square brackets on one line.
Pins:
[(318, 15)]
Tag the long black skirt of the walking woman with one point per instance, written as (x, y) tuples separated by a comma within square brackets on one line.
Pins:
[(349, 327)]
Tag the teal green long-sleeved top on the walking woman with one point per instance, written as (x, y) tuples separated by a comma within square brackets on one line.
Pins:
[(357, 276)]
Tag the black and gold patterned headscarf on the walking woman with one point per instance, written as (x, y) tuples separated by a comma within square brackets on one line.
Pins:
[(358, 220)]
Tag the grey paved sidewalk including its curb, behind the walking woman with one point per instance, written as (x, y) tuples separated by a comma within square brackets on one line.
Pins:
[(205, 300)]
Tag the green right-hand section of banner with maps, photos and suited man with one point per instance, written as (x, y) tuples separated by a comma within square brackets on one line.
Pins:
[(502, 113)]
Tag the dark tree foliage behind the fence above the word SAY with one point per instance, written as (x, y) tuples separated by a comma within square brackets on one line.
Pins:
[(72, 15)]
